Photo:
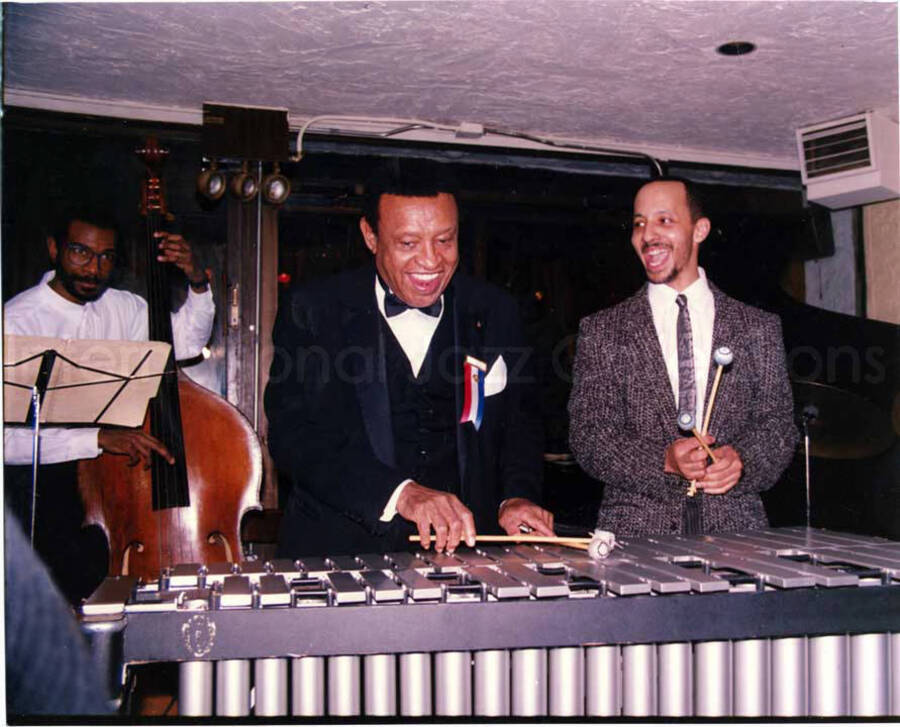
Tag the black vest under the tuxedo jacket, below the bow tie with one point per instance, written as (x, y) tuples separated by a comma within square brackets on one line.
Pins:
[(423, 409)]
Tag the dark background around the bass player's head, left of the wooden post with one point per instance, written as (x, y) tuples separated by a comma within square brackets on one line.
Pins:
[(51, 162)]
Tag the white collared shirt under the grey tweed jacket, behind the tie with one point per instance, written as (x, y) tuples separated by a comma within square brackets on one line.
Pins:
[(702, 309)]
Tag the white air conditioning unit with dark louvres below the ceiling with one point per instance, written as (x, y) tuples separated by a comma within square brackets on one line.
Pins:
[(850, 161)]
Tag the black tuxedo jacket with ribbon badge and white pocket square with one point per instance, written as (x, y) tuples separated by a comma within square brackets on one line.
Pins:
[(329, 413)]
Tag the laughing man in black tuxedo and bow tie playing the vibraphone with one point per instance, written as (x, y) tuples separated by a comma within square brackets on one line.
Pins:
[(397, 399)]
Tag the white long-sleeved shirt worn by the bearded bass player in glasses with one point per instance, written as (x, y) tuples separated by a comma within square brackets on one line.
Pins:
[(115, 315)]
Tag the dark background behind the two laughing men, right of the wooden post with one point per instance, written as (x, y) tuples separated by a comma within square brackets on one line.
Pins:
[(559, 242)]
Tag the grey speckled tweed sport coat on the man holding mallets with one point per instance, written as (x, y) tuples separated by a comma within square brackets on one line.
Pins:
[(623, 416)]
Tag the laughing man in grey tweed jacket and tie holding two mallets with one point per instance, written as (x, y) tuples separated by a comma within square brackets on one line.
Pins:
[(644, 364)]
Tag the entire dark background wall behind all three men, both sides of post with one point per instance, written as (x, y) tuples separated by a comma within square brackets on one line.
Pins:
[(556, 238)]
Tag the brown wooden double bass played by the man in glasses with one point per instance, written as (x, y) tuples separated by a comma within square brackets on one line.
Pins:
[(189, 512)]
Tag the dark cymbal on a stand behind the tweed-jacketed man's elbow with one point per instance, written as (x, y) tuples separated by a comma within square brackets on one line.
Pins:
[(846, 426)]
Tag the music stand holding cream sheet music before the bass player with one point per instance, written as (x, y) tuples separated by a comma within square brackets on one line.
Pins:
[(59, 381)]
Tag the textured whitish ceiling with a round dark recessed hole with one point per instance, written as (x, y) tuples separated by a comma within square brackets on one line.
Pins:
[(626, 72)]
